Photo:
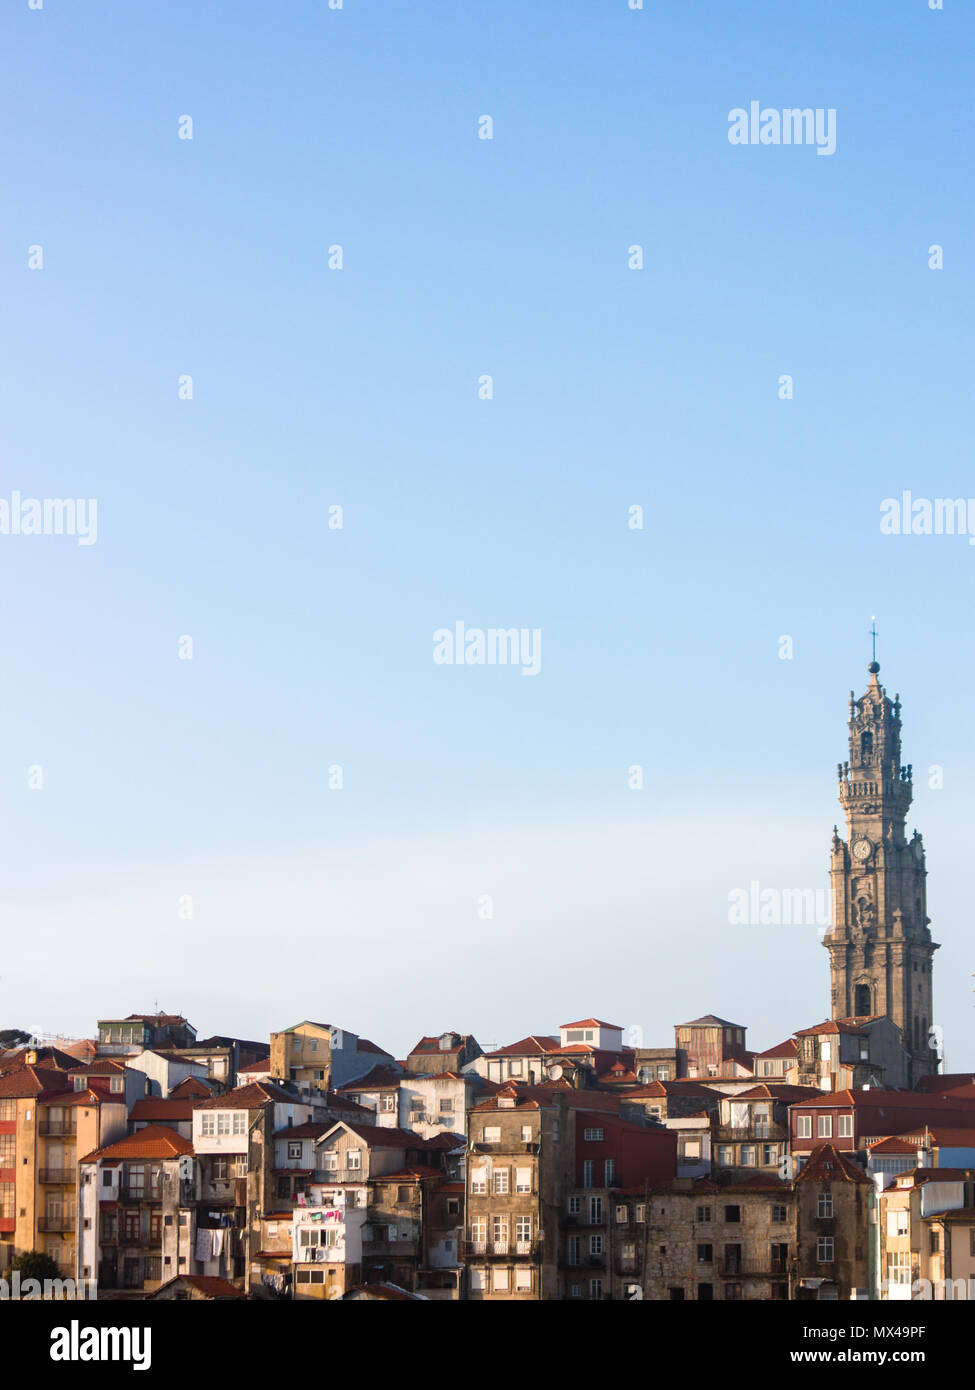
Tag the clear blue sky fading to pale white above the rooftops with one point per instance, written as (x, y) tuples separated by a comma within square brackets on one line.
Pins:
[(464, 258)]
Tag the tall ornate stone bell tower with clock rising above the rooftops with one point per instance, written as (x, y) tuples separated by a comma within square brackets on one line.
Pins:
[(880, 946)]
